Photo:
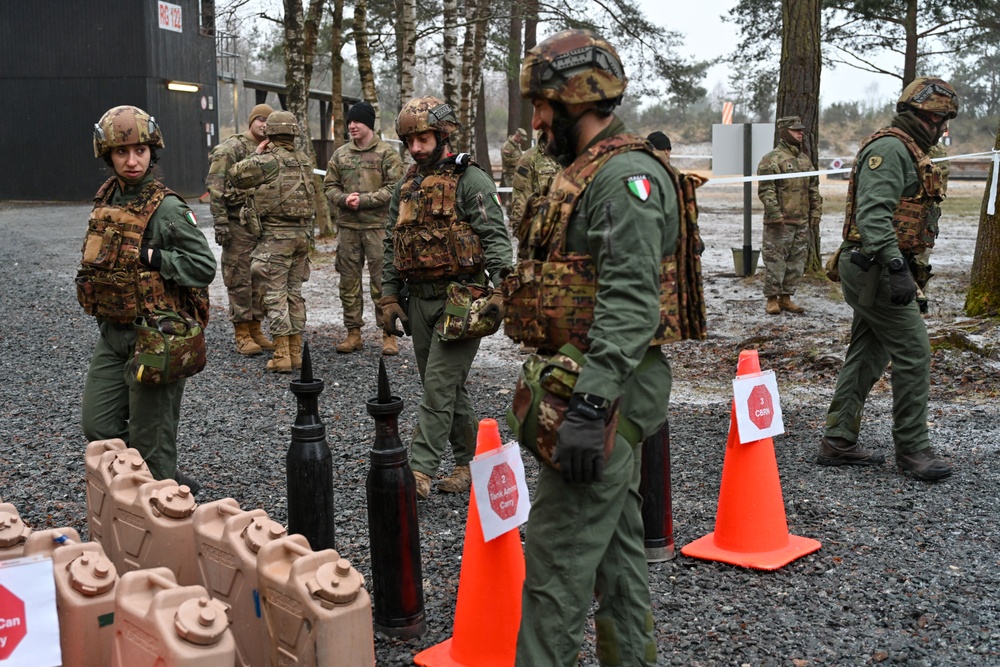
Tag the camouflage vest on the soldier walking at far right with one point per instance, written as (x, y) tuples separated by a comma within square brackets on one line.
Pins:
[(915, 219)]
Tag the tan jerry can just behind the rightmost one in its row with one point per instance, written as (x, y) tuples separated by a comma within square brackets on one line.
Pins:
[(227, 540)]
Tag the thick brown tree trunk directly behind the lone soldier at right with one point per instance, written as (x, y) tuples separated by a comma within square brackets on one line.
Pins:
[(798, 87)]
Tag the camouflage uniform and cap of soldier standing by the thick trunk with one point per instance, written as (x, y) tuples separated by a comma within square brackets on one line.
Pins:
[(791, 207)]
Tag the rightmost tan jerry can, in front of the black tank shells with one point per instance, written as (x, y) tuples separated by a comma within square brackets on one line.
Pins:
[(316, 608)]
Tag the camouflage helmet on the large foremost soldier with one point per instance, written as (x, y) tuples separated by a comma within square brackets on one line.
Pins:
[(573, 67)]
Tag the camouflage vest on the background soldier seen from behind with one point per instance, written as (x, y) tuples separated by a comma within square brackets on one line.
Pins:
[(288, 200)]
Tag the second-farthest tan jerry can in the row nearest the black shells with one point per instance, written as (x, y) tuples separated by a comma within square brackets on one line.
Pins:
[(152, 526)]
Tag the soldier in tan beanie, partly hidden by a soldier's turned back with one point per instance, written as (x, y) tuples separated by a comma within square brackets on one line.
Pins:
[(245, 311)]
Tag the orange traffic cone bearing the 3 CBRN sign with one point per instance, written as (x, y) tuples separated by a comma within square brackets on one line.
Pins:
[(750, 525)]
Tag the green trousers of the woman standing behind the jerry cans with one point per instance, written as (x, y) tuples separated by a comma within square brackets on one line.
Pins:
[(115, 405)]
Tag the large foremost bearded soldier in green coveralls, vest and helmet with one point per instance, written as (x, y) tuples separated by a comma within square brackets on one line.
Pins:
[(593, 281)]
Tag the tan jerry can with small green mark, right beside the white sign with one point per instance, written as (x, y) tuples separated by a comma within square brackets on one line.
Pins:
[(86, 581)]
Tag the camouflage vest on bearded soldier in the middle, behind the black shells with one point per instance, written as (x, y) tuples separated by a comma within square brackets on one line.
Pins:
[(430, 242)]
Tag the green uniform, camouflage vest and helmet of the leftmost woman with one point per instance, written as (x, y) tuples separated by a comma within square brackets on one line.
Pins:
[(115, 404)]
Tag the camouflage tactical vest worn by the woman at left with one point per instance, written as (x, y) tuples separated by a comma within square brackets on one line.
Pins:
[(111, 283)]
